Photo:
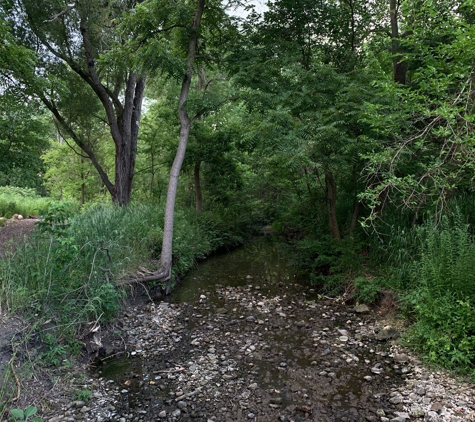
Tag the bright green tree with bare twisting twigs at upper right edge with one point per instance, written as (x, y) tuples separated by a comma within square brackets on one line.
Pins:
[(423, 132)]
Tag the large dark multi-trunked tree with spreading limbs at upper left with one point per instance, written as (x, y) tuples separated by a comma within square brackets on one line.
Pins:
[(69, 40)]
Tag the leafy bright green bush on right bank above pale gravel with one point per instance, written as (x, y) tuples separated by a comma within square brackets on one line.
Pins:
[(441, 301)]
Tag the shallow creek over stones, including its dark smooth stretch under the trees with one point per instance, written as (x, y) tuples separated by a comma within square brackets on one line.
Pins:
[(244, 338)]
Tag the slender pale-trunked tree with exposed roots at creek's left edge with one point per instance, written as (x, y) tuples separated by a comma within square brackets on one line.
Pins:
[(154, 22)]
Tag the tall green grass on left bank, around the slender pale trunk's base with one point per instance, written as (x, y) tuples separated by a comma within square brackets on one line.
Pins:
[(75, 268)]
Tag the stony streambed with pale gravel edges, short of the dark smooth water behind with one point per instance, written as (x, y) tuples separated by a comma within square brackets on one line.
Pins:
[(257, 350)]
